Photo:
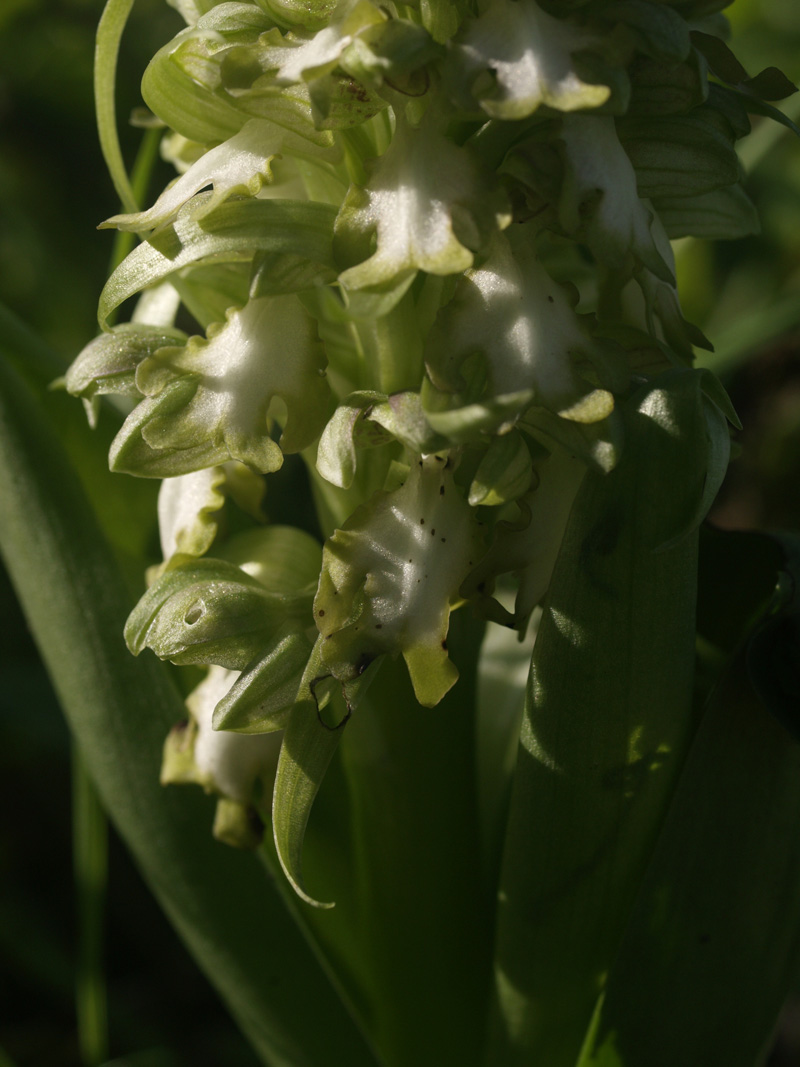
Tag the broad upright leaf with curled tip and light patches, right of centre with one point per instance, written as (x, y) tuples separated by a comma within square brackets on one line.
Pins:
[(607, 724)]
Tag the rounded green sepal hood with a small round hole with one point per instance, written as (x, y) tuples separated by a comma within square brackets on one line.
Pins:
[(210, 611)]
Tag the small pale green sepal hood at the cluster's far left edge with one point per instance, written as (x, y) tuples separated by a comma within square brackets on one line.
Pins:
[(108, 364)]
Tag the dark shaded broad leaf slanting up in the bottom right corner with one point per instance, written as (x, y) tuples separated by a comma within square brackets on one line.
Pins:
[(715, 918)]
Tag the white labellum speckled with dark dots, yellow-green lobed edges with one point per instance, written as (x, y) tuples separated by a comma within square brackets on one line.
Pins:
[(391, 578)]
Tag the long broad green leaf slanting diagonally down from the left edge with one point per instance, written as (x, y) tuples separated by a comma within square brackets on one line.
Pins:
[(120, 710)]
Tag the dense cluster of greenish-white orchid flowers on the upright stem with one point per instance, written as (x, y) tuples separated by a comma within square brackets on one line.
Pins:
[(426, 247)]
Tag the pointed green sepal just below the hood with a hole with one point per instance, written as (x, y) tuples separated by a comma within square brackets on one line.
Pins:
[(261, 700)]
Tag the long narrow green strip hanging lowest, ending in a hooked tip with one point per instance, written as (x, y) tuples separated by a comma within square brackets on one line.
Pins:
[(309, 745)]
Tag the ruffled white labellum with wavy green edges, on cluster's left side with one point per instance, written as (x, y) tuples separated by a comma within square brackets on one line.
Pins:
[(210, 403)]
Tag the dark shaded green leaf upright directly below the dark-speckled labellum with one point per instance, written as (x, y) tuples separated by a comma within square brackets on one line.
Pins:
[(412, 784)]
